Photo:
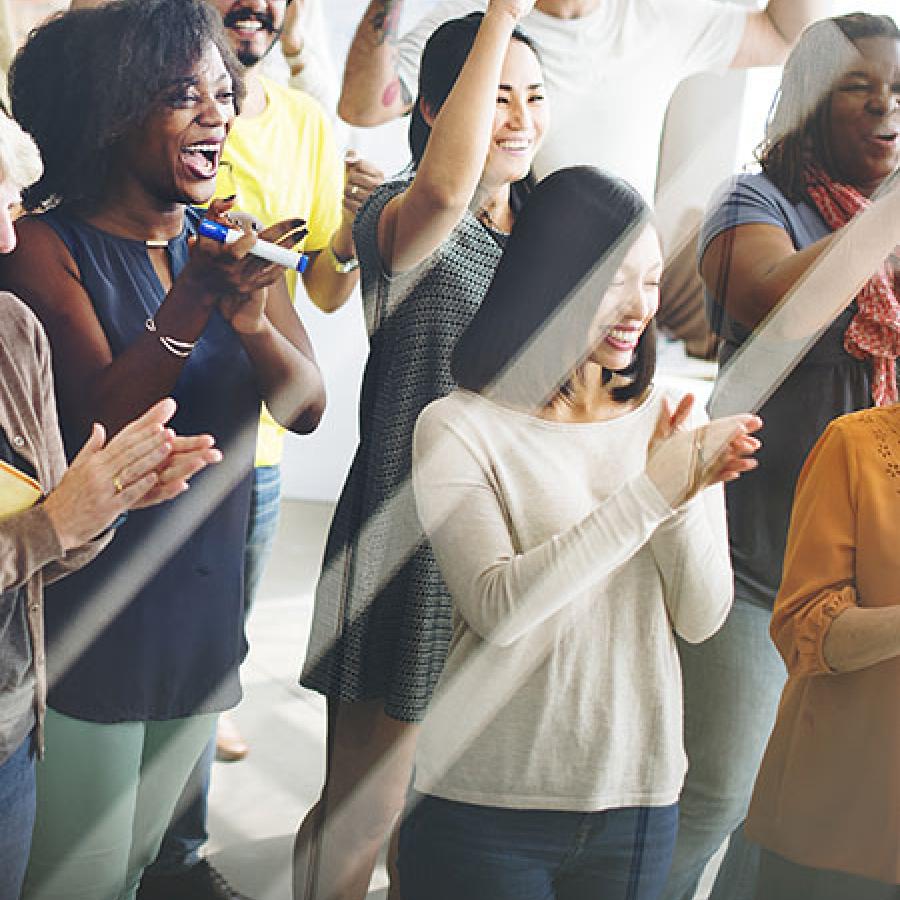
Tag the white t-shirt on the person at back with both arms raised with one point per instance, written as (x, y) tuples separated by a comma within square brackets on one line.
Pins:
[(609, 75)]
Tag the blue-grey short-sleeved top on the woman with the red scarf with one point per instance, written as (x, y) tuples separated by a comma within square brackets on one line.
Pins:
[(827, 382)]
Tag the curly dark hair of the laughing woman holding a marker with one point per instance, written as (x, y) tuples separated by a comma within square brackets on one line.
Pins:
[(87, 78)]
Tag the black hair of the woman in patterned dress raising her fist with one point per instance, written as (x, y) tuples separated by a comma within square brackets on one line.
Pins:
[(444, 56)]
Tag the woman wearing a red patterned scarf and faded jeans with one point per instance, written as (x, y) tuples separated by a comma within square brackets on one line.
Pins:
[(833, 140)]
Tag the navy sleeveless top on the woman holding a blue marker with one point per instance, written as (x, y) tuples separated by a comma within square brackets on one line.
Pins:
[(153, 628)]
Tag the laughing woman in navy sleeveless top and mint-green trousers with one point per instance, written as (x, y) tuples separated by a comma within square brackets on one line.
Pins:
[(144, 644)]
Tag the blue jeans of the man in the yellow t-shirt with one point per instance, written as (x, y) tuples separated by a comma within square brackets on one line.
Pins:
[(188, 833)]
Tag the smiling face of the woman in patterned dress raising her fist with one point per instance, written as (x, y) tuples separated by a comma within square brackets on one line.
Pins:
[(521, 117)]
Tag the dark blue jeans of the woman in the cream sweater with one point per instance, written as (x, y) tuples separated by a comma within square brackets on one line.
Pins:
[(450, 851)]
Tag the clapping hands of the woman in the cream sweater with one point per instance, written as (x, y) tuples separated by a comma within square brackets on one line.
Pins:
[(681, 462)]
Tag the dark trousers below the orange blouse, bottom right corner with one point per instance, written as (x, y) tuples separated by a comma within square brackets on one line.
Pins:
[(781, 879)]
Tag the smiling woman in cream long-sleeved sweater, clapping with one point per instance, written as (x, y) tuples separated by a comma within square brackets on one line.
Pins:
[(565, 502)]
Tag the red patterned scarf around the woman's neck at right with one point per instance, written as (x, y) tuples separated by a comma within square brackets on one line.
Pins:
[(874, 332)]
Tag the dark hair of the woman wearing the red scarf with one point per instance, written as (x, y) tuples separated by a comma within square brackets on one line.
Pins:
[(797, 132)]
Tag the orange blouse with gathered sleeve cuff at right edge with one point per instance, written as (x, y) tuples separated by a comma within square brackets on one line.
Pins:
[(828, 792)]
